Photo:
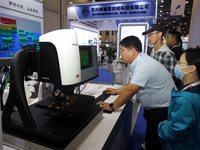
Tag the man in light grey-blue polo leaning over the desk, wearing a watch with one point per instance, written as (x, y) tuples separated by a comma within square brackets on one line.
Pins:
[(151, 82)]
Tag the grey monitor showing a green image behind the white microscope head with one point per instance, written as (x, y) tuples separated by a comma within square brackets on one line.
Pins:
[(89, 64)]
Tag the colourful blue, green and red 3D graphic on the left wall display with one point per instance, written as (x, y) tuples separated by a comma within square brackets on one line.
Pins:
[(16, 32)]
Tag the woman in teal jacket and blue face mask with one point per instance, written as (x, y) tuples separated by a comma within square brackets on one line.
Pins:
[(182, 129)]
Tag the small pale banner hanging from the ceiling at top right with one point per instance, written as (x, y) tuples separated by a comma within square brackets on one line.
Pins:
[(177, 7)]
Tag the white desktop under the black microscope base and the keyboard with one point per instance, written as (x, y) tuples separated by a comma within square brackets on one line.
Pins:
[(98, 136)]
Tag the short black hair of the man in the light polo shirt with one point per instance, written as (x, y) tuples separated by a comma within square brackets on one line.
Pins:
[(132, 42)]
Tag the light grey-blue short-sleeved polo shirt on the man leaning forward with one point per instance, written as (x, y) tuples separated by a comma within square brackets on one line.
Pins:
[(155, 80)]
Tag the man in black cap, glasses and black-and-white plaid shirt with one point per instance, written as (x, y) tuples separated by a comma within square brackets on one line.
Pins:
[(161, 52)]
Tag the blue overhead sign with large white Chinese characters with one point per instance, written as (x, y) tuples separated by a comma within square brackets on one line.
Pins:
[(133, 10)]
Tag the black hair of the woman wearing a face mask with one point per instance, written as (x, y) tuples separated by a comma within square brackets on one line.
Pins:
[(193, 58)]
